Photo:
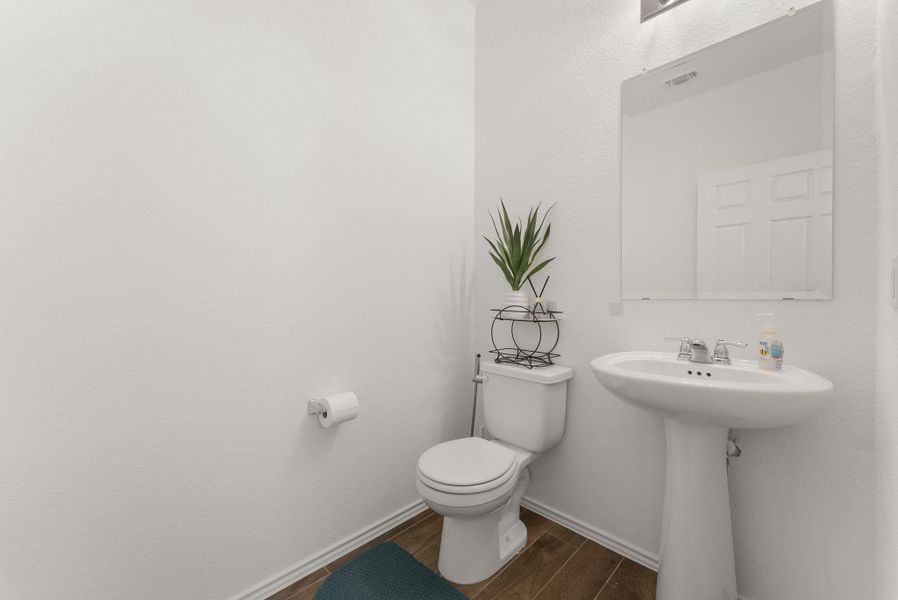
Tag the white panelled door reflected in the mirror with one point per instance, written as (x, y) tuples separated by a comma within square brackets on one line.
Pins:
[(765, 230)]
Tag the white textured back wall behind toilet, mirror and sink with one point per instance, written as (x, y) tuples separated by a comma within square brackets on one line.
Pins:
[(548, 106)]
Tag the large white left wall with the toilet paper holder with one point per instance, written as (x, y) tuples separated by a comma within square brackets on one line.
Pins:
[(210, 212)]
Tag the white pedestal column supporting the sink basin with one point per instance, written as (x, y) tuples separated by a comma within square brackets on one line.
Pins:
[(697, 534)]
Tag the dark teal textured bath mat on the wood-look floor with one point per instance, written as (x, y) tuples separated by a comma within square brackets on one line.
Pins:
[(386, 572)]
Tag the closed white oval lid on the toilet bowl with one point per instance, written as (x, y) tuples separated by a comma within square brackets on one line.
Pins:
[(466, 461)]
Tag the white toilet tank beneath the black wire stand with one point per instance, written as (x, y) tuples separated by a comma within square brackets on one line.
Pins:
[(525, 407)]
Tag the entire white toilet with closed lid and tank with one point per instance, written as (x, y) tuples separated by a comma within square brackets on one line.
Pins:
[(477, 484)]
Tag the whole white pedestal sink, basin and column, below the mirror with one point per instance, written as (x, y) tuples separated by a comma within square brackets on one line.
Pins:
[(700, 403)]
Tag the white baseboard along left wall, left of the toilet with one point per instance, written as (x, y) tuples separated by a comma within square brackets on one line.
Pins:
[(315, 562)]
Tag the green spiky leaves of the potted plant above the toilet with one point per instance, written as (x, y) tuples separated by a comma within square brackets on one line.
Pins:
[(517, 245)]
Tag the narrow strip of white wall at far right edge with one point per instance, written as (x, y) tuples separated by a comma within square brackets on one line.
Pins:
[(886, 430)]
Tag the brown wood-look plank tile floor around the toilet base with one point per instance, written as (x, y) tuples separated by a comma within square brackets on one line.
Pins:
[(556, 564)]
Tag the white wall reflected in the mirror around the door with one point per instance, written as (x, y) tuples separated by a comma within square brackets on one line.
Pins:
[(778, 113)]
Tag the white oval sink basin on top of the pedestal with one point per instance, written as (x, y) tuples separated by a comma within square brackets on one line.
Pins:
[(739, 395)]
